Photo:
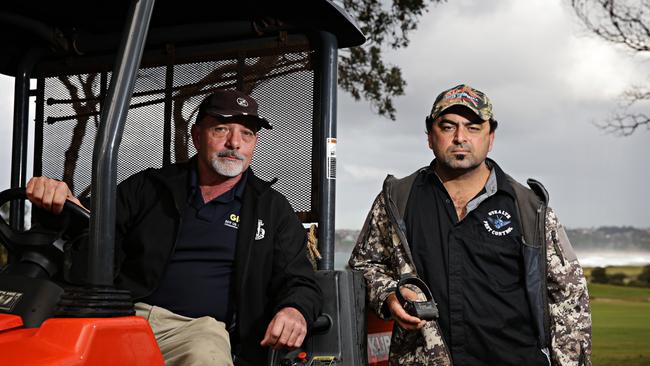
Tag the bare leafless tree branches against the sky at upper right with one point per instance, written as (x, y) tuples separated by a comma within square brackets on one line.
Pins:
[(627, 23)]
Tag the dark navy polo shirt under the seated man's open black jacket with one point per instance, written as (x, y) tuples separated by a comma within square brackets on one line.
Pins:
[(197, 280)]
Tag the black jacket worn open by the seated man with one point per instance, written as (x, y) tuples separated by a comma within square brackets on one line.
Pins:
[(271, 266)]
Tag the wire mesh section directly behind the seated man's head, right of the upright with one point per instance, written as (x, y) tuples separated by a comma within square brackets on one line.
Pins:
[(285, 98)]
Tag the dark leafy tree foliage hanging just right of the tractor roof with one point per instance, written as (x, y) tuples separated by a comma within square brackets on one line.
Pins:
[(362, 70)]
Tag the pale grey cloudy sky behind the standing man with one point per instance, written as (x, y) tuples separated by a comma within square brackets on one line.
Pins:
[(548, 81)]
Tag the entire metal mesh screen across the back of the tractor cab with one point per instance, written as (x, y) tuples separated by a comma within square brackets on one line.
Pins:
[(282, 84)]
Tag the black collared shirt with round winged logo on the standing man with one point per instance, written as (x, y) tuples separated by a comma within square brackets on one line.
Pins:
[(474, 269)]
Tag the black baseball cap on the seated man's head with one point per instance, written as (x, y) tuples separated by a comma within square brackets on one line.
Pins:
[(231, 103)]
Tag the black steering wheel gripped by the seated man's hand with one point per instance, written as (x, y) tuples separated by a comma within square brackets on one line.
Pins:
[(38, 245)]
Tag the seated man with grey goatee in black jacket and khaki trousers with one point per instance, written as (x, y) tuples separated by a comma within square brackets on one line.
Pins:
[(208, 289)]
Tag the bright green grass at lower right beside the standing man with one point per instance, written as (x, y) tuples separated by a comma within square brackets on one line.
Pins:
[(621, 325)]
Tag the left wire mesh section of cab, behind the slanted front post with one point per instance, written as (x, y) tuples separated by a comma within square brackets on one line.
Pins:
[(72, 112)]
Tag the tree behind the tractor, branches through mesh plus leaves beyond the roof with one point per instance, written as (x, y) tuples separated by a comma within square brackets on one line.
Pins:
[(362, 72)]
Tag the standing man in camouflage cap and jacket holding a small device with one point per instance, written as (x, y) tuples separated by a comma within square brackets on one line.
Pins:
[(507, 284)]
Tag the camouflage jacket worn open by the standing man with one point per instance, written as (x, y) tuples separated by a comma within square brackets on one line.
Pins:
[(556, 288)]
